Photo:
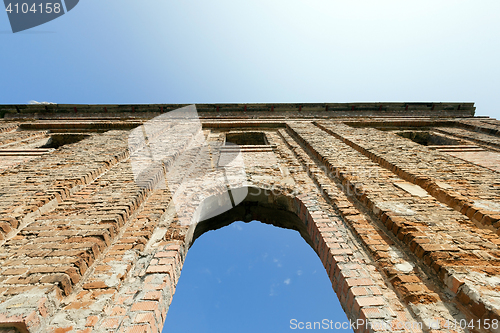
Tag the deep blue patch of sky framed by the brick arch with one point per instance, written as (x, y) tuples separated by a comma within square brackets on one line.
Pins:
[(249, 277)]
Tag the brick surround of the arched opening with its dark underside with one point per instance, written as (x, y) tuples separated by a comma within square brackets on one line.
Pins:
[(361, 291)]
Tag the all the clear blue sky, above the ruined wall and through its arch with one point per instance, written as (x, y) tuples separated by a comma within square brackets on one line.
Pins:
[(227, 51)]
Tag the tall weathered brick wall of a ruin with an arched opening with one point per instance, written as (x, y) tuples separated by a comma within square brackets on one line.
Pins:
[(401, 202)]
